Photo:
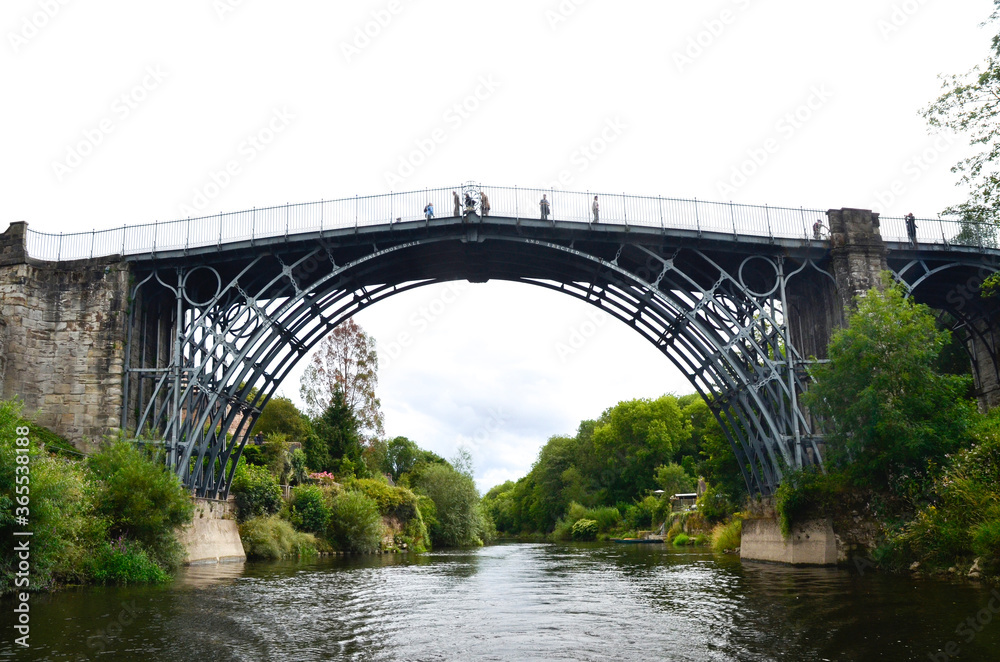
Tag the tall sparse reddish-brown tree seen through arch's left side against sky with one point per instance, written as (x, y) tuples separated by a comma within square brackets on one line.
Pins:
[(345, 360)]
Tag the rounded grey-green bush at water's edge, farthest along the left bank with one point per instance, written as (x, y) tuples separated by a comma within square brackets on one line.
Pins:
[(459, 518)]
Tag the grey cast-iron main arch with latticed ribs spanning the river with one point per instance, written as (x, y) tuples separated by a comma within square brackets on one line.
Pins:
[(246, 322)]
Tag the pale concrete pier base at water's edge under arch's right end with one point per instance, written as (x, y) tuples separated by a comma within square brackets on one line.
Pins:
[(811, 543)]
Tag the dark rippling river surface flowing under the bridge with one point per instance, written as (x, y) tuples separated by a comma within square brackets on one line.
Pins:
[(518, 602)]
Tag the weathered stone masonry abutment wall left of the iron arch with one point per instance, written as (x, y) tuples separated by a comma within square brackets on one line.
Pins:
[(62, 339)]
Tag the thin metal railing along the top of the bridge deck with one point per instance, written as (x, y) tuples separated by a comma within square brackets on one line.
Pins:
[(513, 202)]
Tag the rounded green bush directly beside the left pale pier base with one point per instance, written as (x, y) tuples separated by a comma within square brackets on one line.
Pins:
[(140, 499)]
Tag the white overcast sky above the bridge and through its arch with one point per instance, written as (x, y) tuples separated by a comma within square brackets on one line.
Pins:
[(120, 112)]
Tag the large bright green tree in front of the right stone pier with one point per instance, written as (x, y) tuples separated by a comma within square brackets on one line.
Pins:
[(887, 409)]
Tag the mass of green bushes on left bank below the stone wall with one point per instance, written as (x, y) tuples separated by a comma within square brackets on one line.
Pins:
[(106, 519)]
